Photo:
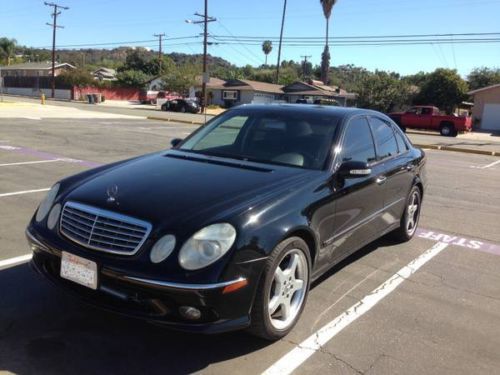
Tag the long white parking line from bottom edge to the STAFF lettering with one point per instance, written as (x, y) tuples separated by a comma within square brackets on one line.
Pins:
[(293, 359)]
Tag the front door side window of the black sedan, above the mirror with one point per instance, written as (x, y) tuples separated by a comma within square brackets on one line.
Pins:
[(358, 142)]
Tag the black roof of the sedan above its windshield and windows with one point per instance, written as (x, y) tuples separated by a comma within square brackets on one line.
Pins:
[(340, 112)]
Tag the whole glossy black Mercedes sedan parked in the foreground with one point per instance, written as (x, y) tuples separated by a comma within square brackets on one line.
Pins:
[(228, 228)]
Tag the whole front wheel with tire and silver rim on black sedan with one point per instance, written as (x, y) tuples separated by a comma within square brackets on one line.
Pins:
[(282, 291)]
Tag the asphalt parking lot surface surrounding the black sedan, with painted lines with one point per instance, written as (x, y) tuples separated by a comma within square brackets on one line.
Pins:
[(428, 306)]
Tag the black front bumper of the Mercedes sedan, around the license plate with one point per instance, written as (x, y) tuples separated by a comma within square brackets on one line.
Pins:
[(156, 301)]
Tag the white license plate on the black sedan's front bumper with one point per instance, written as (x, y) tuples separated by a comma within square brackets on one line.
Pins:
[(79, 270)]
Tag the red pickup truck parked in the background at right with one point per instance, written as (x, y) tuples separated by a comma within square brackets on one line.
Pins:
[(429, 118)]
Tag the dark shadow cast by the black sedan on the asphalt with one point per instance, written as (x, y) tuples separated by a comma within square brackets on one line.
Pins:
[(44, 330)]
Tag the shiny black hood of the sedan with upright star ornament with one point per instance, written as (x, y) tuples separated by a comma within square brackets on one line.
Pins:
[(171, 188)]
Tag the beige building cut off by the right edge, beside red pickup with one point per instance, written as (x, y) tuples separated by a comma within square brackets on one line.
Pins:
[(486, 110)]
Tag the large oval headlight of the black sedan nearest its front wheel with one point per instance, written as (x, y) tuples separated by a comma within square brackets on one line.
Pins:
[(207, 246)]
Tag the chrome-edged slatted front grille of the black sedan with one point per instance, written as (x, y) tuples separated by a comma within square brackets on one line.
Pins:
[(103, 230)]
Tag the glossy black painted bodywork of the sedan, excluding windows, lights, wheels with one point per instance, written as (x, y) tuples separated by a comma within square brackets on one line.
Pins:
[(180, 192)]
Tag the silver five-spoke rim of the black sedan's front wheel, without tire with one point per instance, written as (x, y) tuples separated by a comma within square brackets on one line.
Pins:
[(288, 289)]
